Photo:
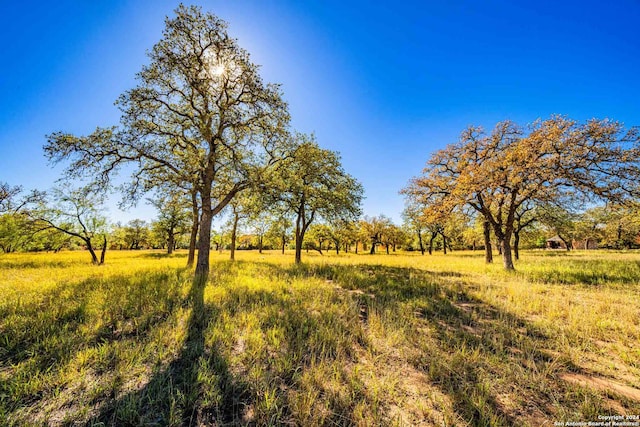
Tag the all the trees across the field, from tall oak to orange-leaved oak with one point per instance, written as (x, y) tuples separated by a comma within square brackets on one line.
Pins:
[(207, 138)]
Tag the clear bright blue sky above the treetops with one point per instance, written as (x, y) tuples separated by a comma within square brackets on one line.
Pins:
[(384, 83)]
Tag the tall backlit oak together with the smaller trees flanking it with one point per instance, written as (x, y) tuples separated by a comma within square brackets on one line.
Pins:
[(199, 126)]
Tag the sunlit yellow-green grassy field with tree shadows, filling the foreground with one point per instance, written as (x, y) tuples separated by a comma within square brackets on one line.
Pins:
[(340, 340)]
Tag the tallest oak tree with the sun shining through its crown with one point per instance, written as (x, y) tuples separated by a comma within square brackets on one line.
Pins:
[(200, 113)]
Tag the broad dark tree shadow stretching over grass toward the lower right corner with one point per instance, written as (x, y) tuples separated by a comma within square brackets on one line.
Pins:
[(496, 367)]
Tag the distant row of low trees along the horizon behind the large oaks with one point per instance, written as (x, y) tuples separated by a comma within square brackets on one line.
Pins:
[(253, 225)]
